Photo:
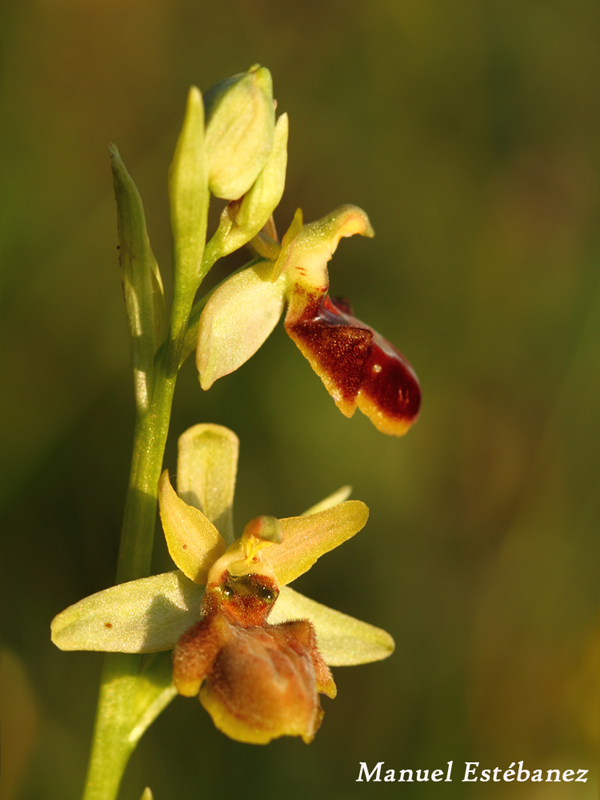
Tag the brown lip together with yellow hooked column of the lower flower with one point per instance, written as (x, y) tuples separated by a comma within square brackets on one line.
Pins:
[(257, 681)]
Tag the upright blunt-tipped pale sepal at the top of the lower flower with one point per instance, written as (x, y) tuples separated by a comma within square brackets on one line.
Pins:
[(206, 470)]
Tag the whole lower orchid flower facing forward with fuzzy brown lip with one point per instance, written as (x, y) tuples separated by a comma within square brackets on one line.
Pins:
[(255, 651)]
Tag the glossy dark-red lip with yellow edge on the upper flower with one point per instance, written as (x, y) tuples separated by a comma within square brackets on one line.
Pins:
[(357, 365)]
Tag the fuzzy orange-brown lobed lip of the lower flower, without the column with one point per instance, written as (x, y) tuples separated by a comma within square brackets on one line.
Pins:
[(257, 682)]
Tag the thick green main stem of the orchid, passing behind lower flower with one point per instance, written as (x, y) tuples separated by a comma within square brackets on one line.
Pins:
[(119, 700)]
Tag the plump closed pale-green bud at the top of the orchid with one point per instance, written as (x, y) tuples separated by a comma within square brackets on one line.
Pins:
[(240, 116)]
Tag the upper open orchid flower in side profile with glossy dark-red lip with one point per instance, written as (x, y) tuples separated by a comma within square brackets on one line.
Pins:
[(358, 366)]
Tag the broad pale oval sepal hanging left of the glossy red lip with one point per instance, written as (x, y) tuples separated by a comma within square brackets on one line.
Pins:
[(236, 321)]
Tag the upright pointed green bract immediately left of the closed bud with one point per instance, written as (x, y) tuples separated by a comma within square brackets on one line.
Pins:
[(188, 196)]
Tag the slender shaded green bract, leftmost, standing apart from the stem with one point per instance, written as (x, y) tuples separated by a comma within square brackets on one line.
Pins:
[(142, 284)]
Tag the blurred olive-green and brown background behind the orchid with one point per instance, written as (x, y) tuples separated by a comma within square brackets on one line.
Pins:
[(469, 131)]
